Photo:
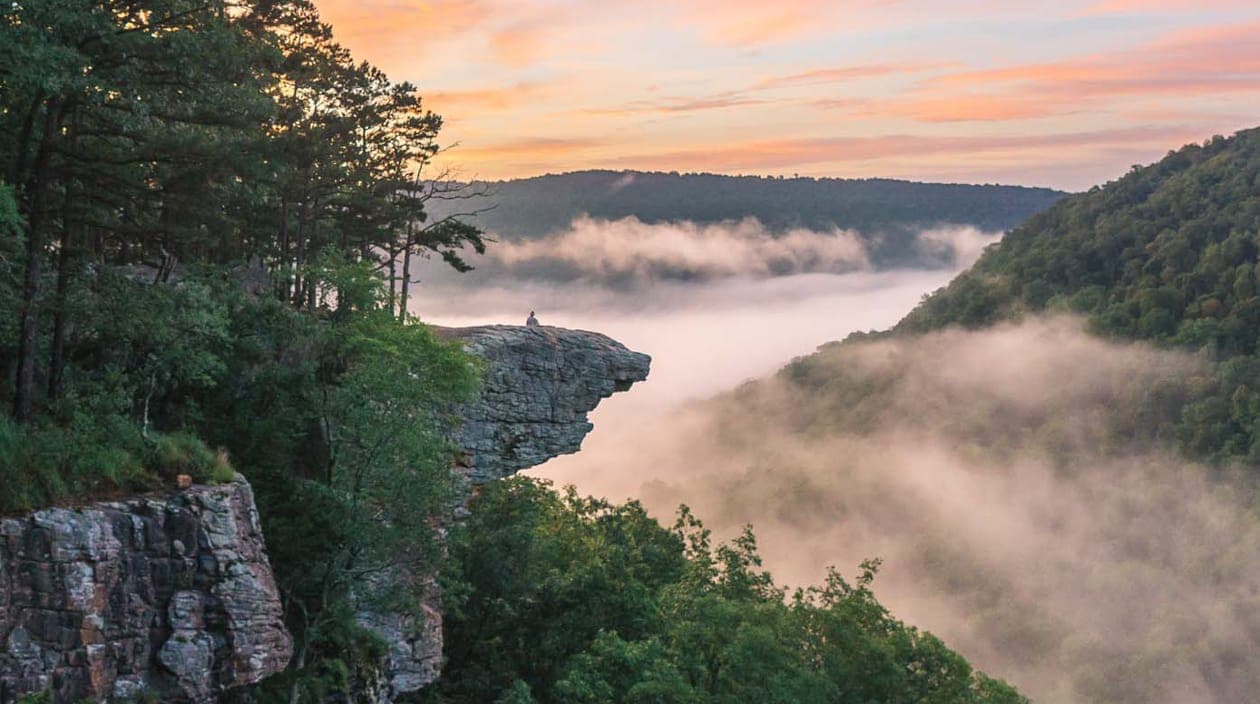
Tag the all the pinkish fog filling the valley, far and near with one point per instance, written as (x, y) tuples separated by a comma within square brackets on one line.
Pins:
[(981, 467)]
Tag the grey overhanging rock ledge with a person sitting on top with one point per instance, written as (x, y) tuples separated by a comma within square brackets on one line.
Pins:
[(539, 386)]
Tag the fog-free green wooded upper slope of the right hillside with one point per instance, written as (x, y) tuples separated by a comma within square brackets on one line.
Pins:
[(1170, 254)]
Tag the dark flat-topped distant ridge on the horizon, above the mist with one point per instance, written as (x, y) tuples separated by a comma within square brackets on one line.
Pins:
[(891, 210)]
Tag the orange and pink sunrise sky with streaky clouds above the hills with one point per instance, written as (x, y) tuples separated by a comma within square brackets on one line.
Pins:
[(1064, 94)]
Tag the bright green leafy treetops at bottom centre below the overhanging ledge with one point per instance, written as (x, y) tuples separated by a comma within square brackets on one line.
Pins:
[(573, 600)]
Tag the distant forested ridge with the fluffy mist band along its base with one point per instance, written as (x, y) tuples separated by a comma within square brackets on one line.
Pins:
[(544, 224)]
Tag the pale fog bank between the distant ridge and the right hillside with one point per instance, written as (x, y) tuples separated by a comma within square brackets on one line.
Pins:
[(714, 305)]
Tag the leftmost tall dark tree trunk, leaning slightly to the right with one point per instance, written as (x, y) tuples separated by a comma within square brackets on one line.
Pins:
[(25, 390)]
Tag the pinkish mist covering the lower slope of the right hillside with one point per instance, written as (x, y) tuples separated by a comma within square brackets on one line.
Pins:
[(1014, 480)]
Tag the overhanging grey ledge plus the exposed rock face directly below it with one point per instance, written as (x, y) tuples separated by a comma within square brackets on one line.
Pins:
[(539, 386)]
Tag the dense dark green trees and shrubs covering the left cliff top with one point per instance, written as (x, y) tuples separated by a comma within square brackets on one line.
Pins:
[(203, 212)]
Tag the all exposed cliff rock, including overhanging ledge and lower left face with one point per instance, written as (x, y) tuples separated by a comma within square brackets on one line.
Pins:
[(172, 596)]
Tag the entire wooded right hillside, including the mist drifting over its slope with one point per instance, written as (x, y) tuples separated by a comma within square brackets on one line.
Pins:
[(1054, 455)]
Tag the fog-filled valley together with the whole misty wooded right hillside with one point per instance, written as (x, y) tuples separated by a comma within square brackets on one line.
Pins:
[(1015, 459)]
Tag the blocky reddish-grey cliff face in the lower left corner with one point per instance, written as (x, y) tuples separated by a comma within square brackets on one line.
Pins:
[(164, 596)]
